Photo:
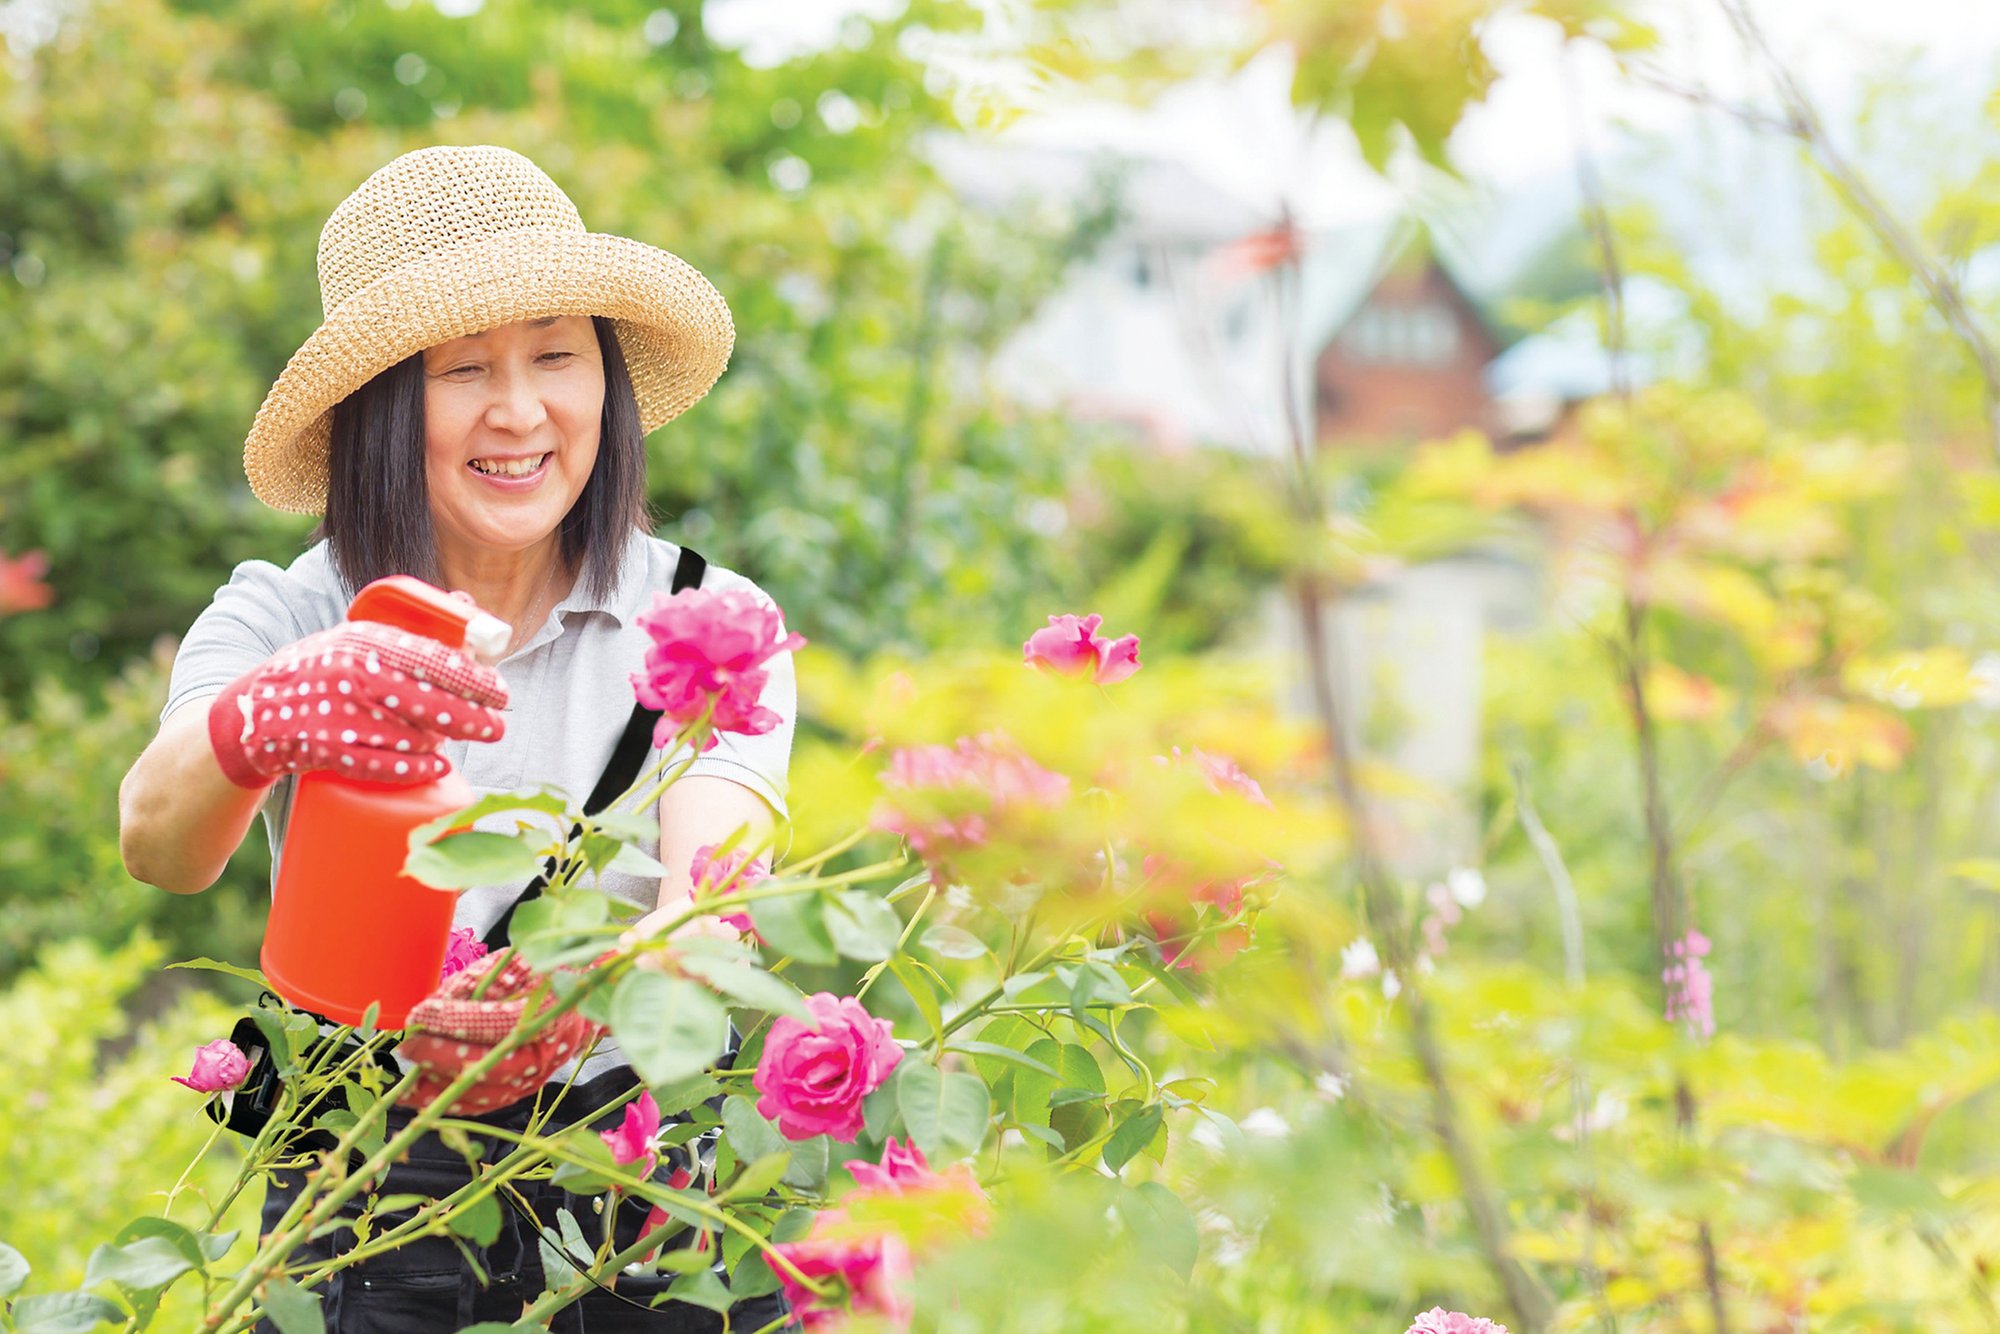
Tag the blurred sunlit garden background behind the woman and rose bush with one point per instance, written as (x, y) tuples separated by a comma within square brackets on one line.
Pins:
[(1571, 427)]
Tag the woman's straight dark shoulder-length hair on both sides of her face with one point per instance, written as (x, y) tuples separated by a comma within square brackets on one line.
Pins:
[(379, 505)]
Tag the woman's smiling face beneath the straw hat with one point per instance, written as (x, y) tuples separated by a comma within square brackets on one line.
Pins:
[(511, 433)]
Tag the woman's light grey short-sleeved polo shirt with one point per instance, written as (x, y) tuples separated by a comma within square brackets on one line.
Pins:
[(569, 693)]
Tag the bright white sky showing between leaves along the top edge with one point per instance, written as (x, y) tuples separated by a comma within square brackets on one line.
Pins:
[(1245, 139)]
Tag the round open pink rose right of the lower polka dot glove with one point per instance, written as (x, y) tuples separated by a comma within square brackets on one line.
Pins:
[(813, 1079)]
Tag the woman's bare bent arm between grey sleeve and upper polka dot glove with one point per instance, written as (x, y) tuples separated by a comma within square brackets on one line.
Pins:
[(179, 819)]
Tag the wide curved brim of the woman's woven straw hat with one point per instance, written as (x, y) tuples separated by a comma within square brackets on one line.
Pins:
[(673, 327)]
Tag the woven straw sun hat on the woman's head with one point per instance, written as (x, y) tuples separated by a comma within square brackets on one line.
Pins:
[(447, 243)]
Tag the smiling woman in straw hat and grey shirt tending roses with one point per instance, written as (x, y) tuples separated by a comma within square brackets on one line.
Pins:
[(473, 413)]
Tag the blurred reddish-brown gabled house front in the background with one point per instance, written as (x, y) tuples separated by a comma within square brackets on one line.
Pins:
[(1407, 367)]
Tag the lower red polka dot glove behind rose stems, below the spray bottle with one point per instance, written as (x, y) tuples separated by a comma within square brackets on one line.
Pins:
[(449, 1031)]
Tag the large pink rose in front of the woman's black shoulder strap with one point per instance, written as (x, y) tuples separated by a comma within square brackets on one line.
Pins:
[(711, 645)]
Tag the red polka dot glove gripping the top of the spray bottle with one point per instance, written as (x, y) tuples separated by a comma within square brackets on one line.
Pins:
[(363, 699)]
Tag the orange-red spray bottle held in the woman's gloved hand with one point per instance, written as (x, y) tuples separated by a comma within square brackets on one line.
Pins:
[(347, 927)]
